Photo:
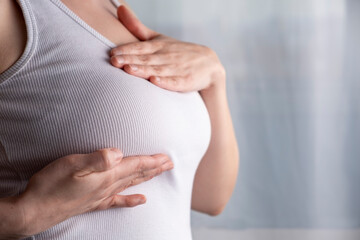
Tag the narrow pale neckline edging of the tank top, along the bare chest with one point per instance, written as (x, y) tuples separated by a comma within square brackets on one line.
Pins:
[(82, 23)]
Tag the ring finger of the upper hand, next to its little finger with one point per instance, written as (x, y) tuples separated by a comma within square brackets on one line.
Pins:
[(152, 70)]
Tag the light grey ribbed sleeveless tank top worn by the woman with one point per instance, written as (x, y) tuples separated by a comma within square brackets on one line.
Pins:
[(64, 97)]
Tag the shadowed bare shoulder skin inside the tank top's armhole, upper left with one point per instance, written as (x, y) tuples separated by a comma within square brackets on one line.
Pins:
[(13, 33)]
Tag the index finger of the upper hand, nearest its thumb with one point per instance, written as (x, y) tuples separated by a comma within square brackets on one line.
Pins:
[(137, 48)]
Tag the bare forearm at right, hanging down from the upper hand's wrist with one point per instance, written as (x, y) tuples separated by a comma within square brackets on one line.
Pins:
[(216, 175)]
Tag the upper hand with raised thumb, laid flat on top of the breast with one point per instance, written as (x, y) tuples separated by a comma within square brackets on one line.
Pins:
[(170, 64)]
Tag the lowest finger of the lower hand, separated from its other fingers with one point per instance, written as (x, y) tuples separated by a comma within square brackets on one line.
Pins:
[(121, 201)]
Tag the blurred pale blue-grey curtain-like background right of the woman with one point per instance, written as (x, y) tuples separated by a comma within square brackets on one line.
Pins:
[(293, 84)]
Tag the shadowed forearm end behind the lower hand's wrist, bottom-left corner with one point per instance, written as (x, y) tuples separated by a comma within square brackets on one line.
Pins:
[(12, 224)]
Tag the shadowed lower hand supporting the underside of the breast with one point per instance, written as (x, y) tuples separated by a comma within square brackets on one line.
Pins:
[(80, 183)]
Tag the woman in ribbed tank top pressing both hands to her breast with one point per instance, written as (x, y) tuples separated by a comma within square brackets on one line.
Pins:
[(75, 130)]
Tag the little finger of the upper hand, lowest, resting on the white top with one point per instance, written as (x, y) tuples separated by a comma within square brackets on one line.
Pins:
[(173, 83)]
